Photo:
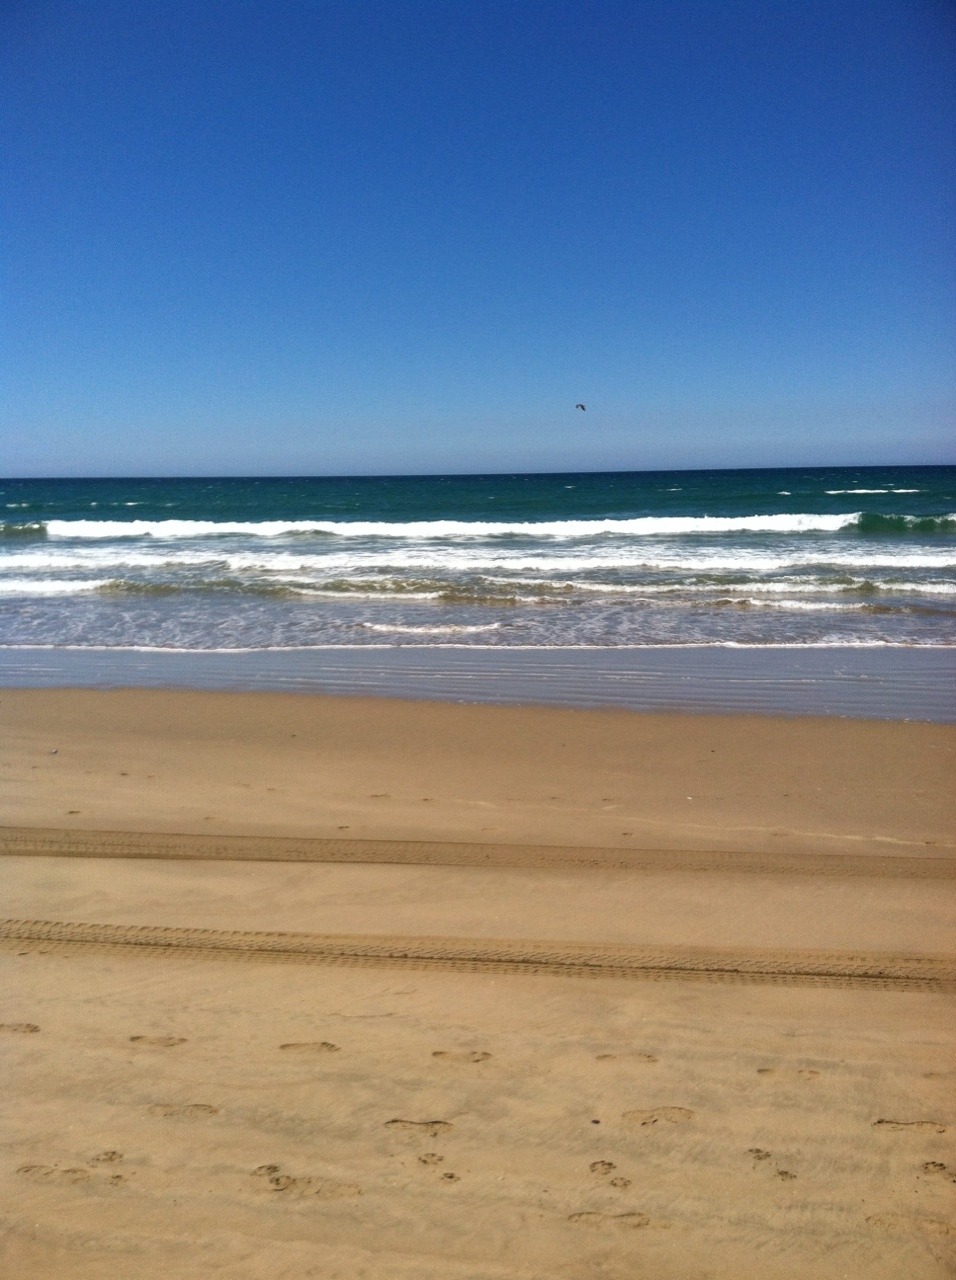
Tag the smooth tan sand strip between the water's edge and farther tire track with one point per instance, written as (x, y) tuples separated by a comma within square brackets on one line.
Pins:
[(367, 770)]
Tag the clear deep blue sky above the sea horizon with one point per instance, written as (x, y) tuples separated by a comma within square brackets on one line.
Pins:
[(409, 236)]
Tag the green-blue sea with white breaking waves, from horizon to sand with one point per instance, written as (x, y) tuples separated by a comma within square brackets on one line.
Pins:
[(647, 589)]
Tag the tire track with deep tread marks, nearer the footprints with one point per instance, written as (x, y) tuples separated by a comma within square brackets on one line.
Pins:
[(491, 956)]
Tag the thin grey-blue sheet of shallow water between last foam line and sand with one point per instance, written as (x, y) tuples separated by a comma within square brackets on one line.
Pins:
[(859, 683)]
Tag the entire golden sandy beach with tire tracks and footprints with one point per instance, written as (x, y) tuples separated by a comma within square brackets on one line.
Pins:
[(319, 988)]
